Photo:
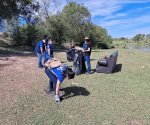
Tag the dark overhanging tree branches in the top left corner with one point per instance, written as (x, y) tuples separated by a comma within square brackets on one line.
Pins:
[(15, 8)]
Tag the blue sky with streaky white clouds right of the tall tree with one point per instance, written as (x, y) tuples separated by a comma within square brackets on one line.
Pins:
[(121, 18)]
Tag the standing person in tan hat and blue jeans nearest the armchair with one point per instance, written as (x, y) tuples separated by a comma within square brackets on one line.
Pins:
[(87, 53)]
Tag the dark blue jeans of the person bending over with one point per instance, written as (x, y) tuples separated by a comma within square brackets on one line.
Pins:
[(52, 81)]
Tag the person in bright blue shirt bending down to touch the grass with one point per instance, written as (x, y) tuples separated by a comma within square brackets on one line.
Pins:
[(57, 72)]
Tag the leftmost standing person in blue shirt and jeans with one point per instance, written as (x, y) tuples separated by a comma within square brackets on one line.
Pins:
[(39, 49)]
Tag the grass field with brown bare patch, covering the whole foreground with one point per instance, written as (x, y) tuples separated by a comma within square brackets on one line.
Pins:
[(121, 98)]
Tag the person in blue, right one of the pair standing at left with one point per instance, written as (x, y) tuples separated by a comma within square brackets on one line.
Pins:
[(49, 48)]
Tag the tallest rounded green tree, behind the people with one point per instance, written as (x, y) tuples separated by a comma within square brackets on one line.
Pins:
[(75, 19)]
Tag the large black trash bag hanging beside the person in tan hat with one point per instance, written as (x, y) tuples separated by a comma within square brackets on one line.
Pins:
[(79, 63)]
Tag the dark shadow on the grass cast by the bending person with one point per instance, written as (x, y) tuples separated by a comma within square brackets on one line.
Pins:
[(74, 91)]
